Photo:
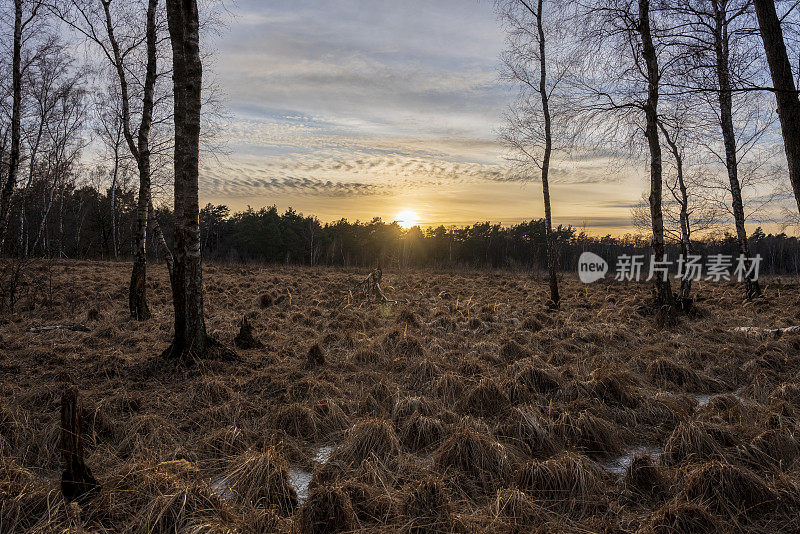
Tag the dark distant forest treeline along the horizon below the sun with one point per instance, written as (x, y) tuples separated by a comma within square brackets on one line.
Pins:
[(80, 227)]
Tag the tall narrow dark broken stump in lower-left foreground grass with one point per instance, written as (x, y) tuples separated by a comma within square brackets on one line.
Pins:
[(77, 481)]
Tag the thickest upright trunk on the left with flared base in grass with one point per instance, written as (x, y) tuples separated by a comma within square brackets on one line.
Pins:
[(190, 341)]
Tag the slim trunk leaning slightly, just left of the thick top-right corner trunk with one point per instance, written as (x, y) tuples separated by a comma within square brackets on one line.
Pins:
[(752, 287)]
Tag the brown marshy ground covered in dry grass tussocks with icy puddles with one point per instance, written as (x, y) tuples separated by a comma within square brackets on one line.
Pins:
[(465, 407)]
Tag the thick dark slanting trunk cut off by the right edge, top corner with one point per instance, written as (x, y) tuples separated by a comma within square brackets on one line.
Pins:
[(785, 90)]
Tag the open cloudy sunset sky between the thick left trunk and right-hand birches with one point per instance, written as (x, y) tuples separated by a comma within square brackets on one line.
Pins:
[(359, 109)]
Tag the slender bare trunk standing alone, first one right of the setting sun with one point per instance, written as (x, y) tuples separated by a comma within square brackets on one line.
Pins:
[(548, 150)]
